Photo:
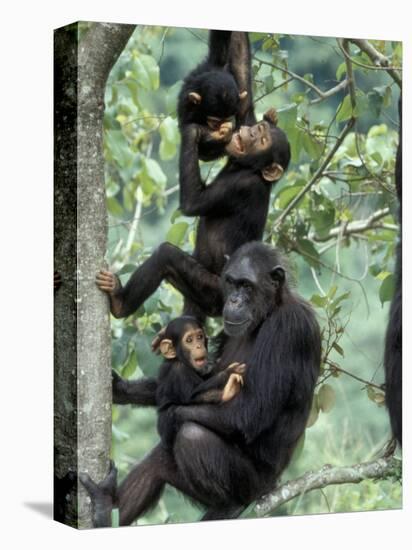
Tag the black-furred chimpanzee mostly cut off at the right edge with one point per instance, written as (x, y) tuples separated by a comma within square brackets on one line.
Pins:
[(393, 344)]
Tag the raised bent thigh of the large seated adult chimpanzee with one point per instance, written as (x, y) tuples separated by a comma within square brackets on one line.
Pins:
[(215, 472)]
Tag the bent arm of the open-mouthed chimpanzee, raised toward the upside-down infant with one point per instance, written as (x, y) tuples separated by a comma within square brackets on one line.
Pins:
[(220, 197)]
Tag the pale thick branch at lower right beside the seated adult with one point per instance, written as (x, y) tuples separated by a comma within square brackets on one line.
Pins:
[(380, 468)]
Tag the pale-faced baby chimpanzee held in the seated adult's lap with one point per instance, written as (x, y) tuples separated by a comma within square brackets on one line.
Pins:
[(186, 377)]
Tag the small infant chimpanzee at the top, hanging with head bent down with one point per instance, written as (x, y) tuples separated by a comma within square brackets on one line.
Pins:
[(210, 97)]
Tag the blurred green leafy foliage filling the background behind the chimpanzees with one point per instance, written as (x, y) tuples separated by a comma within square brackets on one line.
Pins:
[(339, 235)]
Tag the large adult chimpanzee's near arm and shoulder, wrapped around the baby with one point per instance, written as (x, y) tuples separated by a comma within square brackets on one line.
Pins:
[(281, 376)]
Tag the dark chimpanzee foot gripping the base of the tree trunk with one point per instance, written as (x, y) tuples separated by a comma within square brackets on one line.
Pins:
[(103, 496)]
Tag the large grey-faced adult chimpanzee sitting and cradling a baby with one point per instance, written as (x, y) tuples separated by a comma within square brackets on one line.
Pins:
[(225, 456)]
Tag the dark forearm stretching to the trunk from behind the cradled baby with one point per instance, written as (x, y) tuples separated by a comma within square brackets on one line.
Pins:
[(135, 392)]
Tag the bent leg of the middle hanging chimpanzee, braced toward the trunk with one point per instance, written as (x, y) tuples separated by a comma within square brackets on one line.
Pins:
[(185, 273)]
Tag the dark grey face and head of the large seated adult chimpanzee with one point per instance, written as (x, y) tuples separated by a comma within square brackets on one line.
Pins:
[(250, 291)]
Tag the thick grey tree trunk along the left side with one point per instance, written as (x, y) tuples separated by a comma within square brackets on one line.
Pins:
[(82, 323)]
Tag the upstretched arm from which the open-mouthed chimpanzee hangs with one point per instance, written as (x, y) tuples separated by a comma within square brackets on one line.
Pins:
[(240, 65)]
